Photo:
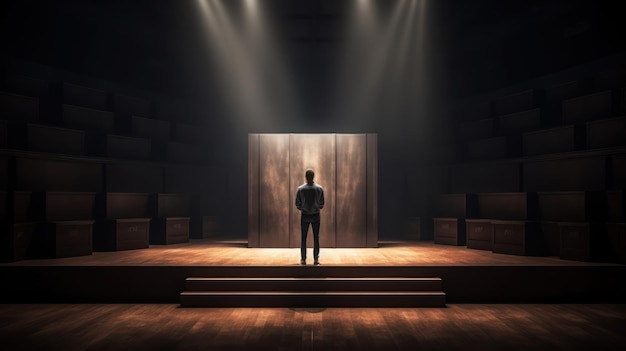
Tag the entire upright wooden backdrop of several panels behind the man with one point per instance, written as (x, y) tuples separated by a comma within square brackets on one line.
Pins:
[(346, 165)]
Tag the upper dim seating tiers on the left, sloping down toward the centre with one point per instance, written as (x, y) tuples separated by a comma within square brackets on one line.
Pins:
[(93, 122)]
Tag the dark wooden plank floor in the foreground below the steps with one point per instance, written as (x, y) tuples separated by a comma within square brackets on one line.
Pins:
[(169, 327)]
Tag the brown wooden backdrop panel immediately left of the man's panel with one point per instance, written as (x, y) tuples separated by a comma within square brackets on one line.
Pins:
[(274, 190)]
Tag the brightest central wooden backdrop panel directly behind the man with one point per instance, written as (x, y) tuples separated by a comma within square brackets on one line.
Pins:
[(316, 151)]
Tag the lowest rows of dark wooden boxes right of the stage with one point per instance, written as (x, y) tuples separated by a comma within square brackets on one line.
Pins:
[(575, 225)]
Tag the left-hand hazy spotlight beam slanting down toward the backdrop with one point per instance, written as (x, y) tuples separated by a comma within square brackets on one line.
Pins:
[(247, 63)]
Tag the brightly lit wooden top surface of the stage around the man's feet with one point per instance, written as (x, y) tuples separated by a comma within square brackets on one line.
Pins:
[(224, 252)]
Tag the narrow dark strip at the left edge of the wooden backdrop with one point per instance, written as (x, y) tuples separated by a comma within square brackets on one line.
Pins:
[(253, 190)]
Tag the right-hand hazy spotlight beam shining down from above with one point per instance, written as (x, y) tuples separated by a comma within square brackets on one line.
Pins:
[(382, 76)]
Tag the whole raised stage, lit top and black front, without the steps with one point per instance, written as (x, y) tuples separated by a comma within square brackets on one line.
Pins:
[(158, 273)]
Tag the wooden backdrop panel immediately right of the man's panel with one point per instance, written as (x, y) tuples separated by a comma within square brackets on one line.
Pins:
[(351, 190)]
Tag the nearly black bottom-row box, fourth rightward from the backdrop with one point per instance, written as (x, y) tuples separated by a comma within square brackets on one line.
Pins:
[(583, 241)]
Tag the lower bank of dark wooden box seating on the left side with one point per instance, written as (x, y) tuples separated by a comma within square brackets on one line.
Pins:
[(56, 207)]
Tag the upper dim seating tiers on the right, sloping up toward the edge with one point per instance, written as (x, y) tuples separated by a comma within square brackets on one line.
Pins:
[(562, 118)]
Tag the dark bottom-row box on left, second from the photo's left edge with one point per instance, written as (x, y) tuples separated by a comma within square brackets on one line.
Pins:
[(64, 238)]
